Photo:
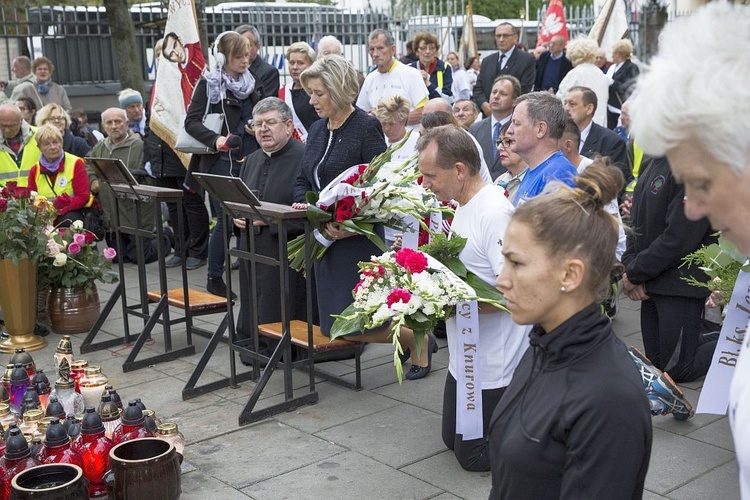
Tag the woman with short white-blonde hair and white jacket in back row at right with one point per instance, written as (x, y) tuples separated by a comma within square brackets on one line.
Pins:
[(582, 54)]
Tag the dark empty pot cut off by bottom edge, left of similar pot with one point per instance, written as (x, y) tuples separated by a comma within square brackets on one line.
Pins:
[(50, 482)]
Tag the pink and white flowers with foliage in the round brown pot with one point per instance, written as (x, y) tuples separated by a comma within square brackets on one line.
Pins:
[(73, 260)]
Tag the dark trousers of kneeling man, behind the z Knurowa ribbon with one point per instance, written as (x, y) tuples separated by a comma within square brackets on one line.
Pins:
[(473, 455)]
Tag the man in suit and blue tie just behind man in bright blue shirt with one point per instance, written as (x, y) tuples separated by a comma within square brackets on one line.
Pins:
[(505, 91)]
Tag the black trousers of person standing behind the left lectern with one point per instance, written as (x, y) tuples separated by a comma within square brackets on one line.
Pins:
[(194, 219)]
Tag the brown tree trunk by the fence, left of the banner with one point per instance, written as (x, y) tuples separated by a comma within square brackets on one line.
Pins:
[(129, 62)]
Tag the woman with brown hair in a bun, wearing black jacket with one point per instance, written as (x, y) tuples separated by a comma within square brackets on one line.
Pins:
[(574, 421)]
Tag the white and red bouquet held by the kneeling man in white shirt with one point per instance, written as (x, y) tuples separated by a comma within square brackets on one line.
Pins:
[(410, 288)]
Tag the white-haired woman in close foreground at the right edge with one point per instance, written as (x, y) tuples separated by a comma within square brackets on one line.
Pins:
[(697, 114)]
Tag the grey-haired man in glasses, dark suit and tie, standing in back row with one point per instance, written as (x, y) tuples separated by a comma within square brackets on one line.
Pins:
[(509, 60)]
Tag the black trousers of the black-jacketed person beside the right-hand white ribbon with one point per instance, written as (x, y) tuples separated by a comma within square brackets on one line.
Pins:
[(671, 329)]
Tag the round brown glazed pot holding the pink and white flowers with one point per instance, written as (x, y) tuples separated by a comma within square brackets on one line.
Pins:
[(72, 310)]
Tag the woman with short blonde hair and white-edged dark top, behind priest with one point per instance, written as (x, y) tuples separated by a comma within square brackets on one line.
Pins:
[(299, 57)]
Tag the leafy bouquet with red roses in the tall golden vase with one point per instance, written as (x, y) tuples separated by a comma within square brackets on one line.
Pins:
[(24, 219)]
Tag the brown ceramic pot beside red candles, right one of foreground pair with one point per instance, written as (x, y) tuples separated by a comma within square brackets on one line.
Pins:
[(144, 469)]
